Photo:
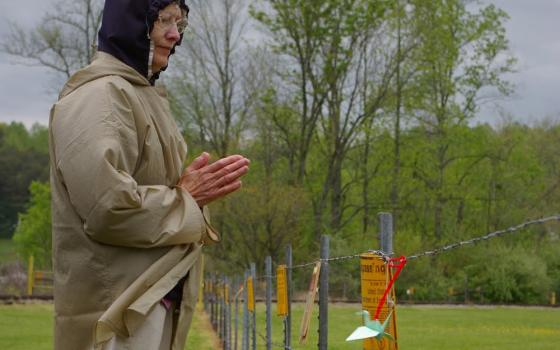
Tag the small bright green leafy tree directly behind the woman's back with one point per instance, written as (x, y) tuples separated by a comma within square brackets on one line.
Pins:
[(33, 234)]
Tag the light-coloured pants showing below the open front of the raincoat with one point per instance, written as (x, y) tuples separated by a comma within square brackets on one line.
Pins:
[(154, 334)]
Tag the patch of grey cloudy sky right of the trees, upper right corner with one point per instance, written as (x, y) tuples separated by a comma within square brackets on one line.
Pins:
[(536, 44)]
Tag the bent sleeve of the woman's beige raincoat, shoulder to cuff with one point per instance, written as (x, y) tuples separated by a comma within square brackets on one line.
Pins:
[(98, 153)]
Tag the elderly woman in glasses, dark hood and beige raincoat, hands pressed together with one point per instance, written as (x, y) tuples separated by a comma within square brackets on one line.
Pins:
[(128, 222)]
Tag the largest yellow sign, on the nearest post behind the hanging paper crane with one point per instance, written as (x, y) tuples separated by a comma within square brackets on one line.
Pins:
[(374, 279)]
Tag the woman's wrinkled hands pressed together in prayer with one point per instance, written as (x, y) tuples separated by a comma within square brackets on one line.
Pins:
[(208, 182)]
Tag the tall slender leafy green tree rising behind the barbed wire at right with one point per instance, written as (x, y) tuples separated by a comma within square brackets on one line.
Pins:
[(461, 55)]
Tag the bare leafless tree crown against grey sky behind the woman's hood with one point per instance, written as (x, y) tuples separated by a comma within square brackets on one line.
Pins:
[(64, 41)]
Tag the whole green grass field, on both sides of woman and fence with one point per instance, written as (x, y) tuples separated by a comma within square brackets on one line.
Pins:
[(25, 327)]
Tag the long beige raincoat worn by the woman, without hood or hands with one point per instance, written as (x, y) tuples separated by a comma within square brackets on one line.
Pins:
[(123, 234)]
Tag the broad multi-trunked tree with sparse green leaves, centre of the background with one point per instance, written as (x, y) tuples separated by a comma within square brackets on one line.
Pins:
[(328, 43)]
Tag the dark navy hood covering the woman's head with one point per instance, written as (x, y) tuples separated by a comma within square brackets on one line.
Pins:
[(125, 30)]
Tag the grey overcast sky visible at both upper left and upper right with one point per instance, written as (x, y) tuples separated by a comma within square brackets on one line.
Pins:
[(25, 94)]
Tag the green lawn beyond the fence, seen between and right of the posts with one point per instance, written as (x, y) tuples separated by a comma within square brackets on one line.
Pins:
[(419, 327)]
